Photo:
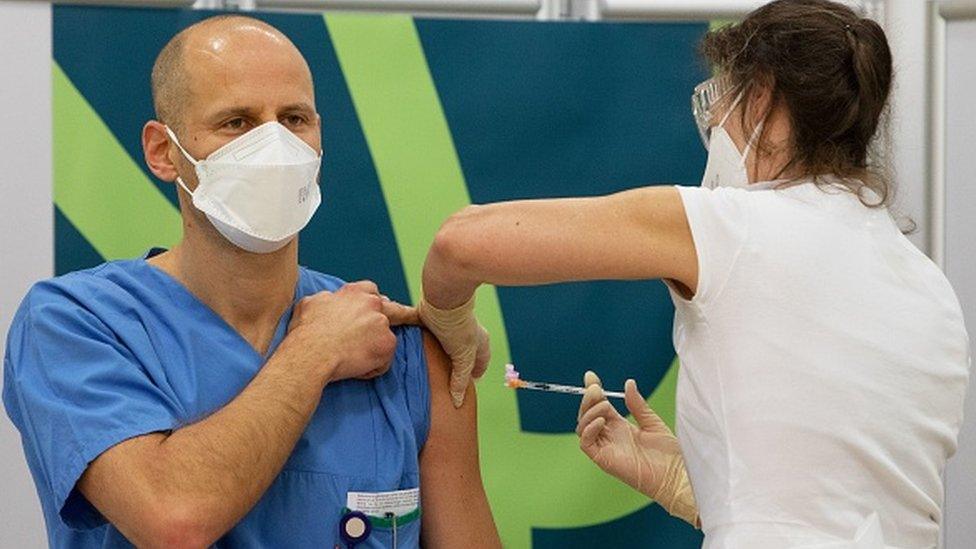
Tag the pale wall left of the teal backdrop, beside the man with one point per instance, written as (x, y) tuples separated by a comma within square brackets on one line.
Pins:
[(26, 224)]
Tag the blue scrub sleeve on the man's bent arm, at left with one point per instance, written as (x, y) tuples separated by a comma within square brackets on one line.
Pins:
[(73, 391)]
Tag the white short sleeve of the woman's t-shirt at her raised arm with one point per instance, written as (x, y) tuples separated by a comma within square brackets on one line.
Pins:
[(719, 220)]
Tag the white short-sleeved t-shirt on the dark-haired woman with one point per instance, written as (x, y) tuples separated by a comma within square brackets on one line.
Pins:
[(824, 365)]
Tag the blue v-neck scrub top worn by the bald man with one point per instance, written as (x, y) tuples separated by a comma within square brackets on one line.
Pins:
[(103, 355)]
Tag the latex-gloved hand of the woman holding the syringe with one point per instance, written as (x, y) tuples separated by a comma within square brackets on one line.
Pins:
[(646, 456)]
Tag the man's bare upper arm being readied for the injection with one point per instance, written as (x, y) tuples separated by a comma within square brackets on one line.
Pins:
[(455, 507)]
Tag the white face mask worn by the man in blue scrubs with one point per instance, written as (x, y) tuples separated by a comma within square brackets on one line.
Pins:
[(258, 190)]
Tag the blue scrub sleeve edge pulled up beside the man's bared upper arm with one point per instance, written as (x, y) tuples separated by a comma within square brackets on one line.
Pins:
[(410, 354)]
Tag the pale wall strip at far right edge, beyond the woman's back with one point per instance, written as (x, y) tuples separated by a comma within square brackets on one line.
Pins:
[(960, 260)]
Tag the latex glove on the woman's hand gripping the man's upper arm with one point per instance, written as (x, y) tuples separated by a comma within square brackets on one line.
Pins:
[(463, 339)]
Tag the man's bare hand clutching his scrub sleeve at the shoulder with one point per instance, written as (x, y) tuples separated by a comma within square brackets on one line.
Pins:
[(345, 334)]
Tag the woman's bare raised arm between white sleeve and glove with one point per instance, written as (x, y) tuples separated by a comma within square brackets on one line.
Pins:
[(637, 234)]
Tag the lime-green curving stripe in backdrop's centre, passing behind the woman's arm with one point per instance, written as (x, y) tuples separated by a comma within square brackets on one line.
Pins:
[(387, 74)]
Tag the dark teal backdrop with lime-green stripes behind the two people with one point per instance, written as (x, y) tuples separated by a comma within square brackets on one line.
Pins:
[(421, 117)]
